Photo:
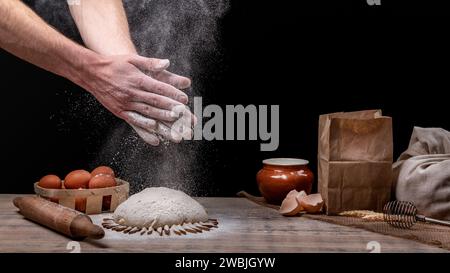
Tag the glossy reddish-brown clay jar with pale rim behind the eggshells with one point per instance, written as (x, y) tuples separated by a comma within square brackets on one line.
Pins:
[(281, 175)]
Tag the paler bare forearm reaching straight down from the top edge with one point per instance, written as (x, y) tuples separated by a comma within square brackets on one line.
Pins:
[(103, 26)]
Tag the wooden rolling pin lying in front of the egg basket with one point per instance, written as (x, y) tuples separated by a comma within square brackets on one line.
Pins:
[(64, 220)]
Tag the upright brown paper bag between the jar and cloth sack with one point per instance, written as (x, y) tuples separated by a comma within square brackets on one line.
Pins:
[(355, 161)]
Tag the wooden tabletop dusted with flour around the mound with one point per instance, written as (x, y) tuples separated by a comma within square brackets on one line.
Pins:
[(243, 227)]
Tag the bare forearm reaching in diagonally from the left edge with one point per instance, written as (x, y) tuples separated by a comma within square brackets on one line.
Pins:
[(26, 35)]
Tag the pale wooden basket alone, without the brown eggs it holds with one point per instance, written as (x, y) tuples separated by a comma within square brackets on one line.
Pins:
[(94, 197)]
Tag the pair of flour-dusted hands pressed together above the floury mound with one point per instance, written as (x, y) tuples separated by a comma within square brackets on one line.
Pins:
[(140, 91)]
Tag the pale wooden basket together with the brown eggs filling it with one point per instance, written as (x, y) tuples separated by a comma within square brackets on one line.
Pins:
[(89, 192)]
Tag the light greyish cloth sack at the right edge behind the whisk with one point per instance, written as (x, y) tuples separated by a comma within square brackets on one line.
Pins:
[(422, 173)]
